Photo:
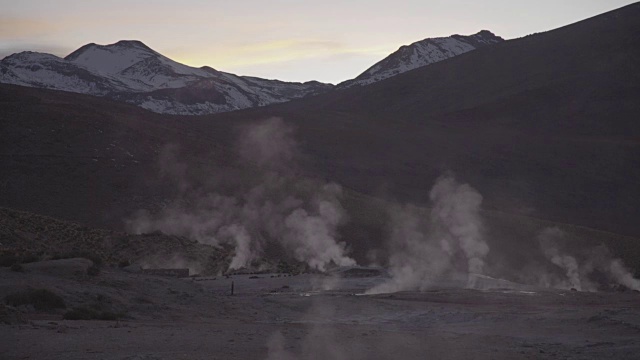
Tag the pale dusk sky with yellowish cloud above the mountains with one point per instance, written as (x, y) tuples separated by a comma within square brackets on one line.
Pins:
[(326, 40)]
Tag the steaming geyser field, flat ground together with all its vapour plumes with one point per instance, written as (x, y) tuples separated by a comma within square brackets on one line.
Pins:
[(443, 280)]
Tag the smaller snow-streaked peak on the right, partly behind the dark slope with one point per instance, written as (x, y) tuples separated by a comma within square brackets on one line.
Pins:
[(421, 53)]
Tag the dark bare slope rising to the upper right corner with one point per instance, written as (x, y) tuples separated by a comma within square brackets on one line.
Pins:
[(546, 125)]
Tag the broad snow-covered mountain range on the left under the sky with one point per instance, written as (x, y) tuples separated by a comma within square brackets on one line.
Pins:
[(132, 72)]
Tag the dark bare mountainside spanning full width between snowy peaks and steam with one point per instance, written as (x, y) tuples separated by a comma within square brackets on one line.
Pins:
[(545, 127)]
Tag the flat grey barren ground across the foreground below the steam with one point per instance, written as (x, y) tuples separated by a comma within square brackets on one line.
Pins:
[(308, 316)]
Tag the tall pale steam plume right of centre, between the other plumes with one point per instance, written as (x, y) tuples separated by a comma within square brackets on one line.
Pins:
[(446, 243)]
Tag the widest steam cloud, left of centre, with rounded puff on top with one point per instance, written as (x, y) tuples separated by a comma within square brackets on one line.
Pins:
[(300, 216)]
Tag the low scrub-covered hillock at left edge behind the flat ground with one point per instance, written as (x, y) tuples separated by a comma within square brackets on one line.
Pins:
[(27, 237)]
